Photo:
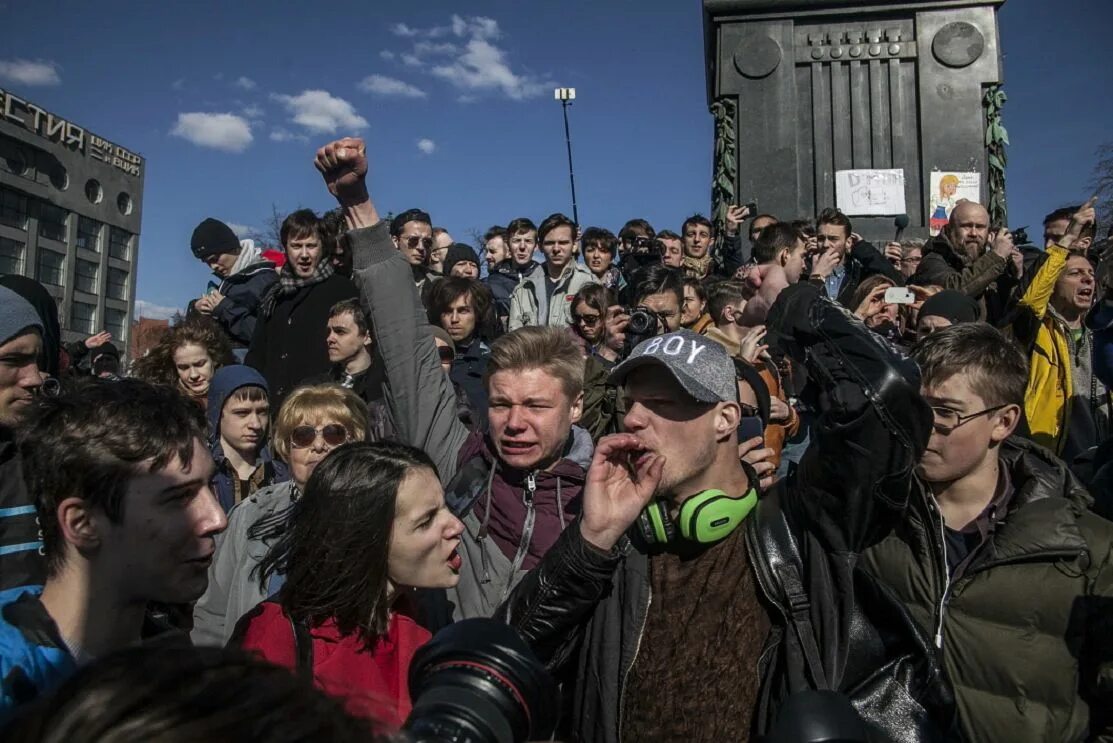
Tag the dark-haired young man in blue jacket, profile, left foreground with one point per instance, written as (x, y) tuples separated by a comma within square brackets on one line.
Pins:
[(122, 477)]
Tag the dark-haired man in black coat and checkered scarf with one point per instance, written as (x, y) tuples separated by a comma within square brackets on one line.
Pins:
[(290, 344)]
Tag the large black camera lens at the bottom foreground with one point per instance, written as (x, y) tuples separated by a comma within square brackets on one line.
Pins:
[(478, 682)]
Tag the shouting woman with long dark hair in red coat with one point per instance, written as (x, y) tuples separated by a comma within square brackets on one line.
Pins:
[(371, 527)]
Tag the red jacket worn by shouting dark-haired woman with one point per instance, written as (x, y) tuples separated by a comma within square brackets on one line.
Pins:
[(373, 683)]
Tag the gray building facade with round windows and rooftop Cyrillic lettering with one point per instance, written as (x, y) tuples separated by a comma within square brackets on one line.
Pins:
[(71, 209)]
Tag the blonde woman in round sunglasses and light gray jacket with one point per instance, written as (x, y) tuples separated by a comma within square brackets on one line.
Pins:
[(311, 423)]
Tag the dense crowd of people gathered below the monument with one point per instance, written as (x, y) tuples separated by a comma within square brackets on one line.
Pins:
[(697, 473)]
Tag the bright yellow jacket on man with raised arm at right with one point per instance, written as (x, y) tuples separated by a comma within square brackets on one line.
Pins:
[(1048, 397)]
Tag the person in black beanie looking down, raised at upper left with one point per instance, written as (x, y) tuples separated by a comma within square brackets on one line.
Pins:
[(245, 279)]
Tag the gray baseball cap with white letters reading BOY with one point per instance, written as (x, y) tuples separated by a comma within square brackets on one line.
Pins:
[(701, 365)]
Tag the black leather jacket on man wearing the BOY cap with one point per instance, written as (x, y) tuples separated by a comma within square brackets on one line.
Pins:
[(838, 629)]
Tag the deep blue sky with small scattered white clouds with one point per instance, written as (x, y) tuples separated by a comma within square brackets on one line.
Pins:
[(229, 102)]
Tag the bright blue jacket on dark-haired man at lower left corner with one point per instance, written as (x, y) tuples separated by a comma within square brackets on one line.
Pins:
[(34, 658)]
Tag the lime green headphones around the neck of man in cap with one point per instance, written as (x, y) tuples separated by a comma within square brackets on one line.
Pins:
[(706, 518)]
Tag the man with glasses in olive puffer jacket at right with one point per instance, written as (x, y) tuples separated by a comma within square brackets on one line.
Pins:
[(999, 558)]
